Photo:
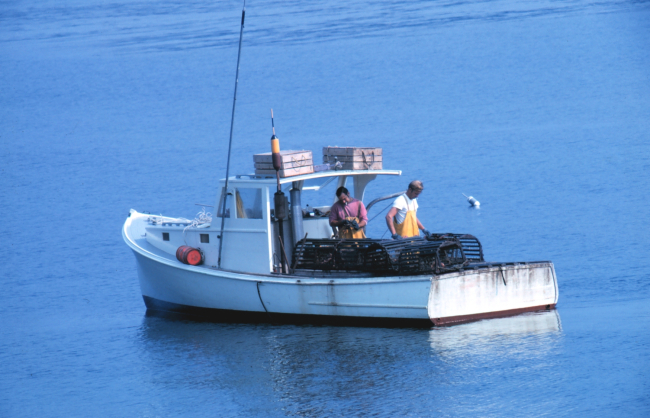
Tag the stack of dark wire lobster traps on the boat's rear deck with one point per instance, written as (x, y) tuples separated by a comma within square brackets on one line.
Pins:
[(434, 254)]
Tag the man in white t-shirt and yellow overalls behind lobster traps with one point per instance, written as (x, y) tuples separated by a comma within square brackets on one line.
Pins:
[(401, 219)]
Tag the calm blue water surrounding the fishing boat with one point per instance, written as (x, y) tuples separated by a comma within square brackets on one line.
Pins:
[(539, 109)]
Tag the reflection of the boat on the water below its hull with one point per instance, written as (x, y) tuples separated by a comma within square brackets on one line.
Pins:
[(255, 369)]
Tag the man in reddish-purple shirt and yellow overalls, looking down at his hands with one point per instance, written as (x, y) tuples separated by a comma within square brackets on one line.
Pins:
[(349, 215)]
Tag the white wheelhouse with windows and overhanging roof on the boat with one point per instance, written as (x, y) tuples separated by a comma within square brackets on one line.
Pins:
[(250, 241)]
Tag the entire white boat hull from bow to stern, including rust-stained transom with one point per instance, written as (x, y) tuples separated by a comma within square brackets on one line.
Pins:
[(169, 285)]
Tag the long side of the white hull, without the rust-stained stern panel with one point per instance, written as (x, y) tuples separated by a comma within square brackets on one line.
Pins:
[(231, 295)]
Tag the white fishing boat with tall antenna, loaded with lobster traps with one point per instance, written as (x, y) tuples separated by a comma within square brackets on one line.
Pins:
[(263, 257)]
